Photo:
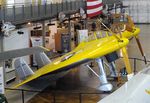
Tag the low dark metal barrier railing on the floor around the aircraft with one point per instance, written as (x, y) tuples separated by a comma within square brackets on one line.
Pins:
[(79, 94)]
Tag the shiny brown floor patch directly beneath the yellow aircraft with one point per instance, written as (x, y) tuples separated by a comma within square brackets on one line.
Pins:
[(79, 85)]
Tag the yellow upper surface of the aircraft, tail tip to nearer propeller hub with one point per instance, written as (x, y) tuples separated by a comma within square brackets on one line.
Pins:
[(84, 52)]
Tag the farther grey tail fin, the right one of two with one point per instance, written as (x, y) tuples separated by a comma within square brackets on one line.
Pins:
[(42, 59)]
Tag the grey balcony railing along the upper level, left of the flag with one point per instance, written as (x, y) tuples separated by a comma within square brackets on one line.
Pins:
[(19, 14)]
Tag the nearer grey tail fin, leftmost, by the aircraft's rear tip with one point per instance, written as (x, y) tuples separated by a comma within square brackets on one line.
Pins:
[(22, 68)]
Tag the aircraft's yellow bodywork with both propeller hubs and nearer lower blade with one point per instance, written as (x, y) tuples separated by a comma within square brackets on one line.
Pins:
[(89, 50)]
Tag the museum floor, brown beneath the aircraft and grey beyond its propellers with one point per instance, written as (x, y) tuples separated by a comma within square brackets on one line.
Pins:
[(81, 84)]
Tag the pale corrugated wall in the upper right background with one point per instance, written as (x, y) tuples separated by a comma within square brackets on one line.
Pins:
[(139, 10)]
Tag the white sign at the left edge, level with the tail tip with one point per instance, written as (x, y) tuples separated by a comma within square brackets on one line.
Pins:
[(1, 81)]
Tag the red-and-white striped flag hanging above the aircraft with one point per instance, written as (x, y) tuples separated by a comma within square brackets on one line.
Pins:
[(94, 7)]
